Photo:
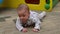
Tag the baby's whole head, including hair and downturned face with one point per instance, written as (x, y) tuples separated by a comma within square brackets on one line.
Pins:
[(23, 12)]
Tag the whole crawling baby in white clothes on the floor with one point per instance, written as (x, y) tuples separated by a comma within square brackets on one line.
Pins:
[(27, 18)]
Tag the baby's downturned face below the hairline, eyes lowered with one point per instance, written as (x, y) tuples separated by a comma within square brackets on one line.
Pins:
[(23, 15)]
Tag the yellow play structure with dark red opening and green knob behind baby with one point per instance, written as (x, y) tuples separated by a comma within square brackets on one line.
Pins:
[(40, 5)]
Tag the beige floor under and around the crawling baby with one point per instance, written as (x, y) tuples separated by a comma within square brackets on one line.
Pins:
[(50, 24)]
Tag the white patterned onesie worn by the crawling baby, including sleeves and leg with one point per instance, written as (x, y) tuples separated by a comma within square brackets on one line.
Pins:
[(34, 18)]
